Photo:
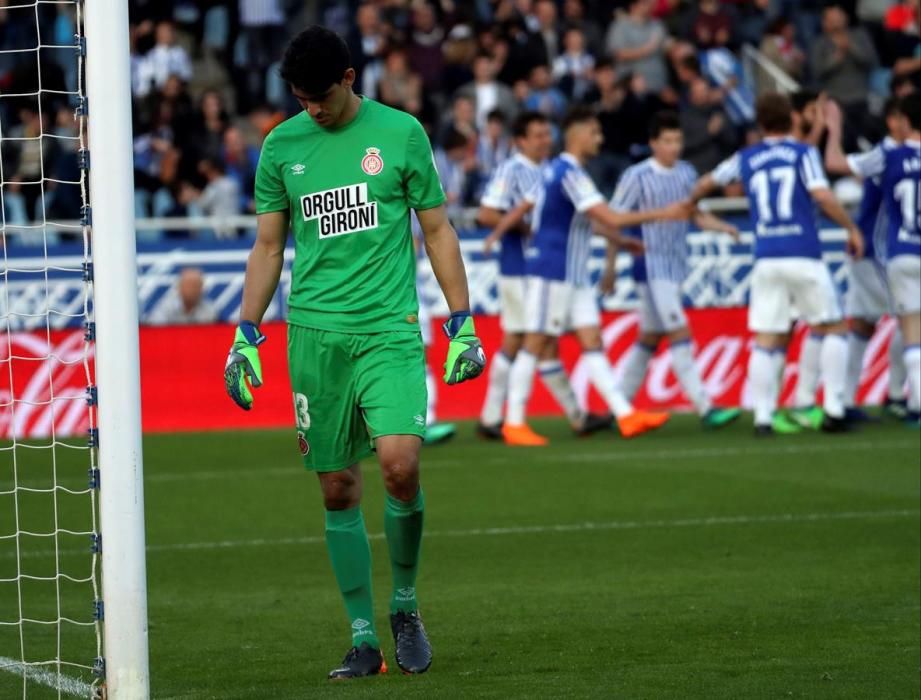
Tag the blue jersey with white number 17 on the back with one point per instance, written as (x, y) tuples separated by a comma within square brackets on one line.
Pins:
[(779, 174)]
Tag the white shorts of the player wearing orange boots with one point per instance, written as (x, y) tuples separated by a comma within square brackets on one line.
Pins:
[(554, 307)]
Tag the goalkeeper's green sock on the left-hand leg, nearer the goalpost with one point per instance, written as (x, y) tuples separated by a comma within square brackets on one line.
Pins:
[(350, 555)]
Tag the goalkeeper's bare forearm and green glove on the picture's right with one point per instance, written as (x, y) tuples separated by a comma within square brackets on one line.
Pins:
[(466, 359)]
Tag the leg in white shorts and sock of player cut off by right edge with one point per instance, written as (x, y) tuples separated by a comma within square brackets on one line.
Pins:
[(904, 274)]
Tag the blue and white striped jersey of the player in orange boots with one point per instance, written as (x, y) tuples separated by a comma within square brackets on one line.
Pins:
[(561, 244)]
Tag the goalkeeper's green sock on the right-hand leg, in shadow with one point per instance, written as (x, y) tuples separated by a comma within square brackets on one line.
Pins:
[(403, 526)]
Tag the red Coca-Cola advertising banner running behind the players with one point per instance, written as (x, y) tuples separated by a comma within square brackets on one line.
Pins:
[(182, 375)]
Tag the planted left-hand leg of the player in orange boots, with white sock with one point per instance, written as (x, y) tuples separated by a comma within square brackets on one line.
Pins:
[(547, 302)]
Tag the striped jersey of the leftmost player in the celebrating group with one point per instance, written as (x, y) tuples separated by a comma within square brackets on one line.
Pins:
[(514, 178)]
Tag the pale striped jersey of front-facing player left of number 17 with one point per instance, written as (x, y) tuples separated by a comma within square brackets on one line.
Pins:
[(651, 185)]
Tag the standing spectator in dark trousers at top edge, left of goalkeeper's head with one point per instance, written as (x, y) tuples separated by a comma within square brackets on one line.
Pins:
[(262, 24)]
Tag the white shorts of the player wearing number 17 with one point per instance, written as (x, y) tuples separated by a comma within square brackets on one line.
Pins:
[(780, 284)]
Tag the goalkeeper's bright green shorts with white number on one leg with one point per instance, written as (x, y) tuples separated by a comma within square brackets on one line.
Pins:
[(350, 389)]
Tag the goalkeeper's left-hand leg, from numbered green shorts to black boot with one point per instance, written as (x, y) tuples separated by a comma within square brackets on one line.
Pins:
[(332, 438)]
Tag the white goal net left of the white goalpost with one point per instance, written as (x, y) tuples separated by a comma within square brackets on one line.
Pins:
[(51, 594)]
